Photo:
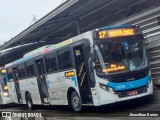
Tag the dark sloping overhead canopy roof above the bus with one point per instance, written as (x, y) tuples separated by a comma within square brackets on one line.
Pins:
[(71, 18)]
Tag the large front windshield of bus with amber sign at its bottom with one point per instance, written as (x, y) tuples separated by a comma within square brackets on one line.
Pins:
[(121, 54)]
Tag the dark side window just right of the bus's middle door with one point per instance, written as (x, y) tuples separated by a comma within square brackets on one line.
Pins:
[(51, 63)]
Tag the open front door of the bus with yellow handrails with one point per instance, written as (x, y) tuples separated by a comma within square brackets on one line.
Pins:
[(82, 74)]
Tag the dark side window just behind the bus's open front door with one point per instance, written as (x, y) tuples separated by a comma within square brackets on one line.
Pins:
[(65, 60)]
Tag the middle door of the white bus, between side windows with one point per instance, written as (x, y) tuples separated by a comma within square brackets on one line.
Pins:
[(43, 90)]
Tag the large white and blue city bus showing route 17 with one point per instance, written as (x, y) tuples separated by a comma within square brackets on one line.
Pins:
[(99, 67)]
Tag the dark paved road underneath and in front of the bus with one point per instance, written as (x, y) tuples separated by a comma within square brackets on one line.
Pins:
[(139, 106)]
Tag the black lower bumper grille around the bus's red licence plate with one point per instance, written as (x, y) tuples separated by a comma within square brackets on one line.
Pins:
[(125, 93)]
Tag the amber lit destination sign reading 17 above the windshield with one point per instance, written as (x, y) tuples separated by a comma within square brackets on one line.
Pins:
[(116, 33)]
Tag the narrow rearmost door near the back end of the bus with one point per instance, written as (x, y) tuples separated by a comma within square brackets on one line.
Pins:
[(16, 82)]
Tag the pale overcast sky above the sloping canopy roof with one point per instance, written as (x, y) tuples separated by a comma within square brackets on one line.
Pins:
[(17, 15)]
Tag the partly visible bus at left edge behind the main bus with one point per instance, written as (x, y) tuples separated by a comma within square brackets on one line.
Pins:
[(4, 95)]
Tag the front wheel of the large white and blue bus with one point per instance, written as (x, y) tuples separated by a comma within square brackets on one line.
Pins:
[(76, 103)]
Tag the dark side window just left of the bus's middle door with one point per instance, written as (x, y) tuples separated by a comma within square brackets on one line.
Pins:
[(30, 69)]
